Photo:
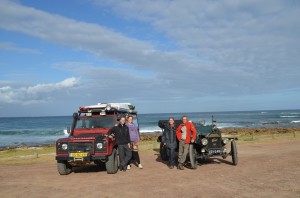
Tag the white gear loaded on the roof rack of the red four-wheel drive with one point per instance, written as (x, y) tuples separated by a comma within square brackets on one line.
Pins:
[(109, 107)]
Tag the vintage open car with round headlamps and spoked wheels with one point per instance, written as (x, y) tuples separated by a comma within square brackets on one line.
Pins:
[(209, 143)]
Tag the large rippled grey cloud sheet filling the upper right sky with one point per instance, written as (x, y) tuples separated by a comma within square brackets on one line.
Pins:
[(244, 46)]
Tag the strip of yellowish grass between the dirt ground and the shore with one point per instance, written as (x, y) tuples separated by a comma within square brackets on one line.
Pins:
[(32, 155)]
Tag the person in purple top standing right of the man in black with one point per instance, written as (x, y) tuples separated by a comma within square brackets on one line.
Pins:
[(135, 140)]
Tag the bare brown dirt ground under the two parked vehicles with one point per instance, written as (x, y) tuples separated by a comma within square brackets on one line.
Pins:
[(264, 170)]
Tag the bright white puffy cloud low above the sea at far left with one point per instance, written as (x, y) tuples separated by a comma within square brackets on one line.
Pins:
[(39, 93)]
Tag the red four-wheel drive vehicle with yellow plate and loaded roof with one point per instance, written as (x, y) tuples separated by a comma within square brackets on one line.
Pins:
[(88, 141)]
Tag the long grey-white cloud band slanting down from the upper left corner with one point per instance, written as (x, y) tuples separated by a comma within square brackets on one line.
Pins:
[(96, 39)]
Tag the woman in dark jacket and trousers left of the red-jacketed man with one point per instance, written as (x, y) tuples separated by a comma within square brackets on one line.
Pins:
[(169, 140)]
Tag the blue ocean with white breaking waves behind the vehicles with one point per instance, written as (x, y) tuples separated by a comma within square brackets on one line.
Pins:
[(33, 131)]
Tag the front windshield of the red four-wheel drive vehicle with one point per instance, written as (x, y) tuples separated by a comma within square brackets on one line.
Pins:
[(95, 122)]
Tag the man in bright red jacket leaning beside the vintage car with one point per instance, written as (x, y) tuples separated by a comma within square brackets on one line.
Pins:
[(186, 134)]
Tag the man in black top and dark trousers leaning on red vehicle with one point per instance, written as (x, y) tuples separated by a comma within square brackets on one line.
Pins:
[(121, 133)]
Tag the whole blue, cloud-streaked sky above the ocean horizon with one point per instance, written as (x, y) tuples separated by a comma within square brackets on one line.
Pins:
[(163, 56)]
